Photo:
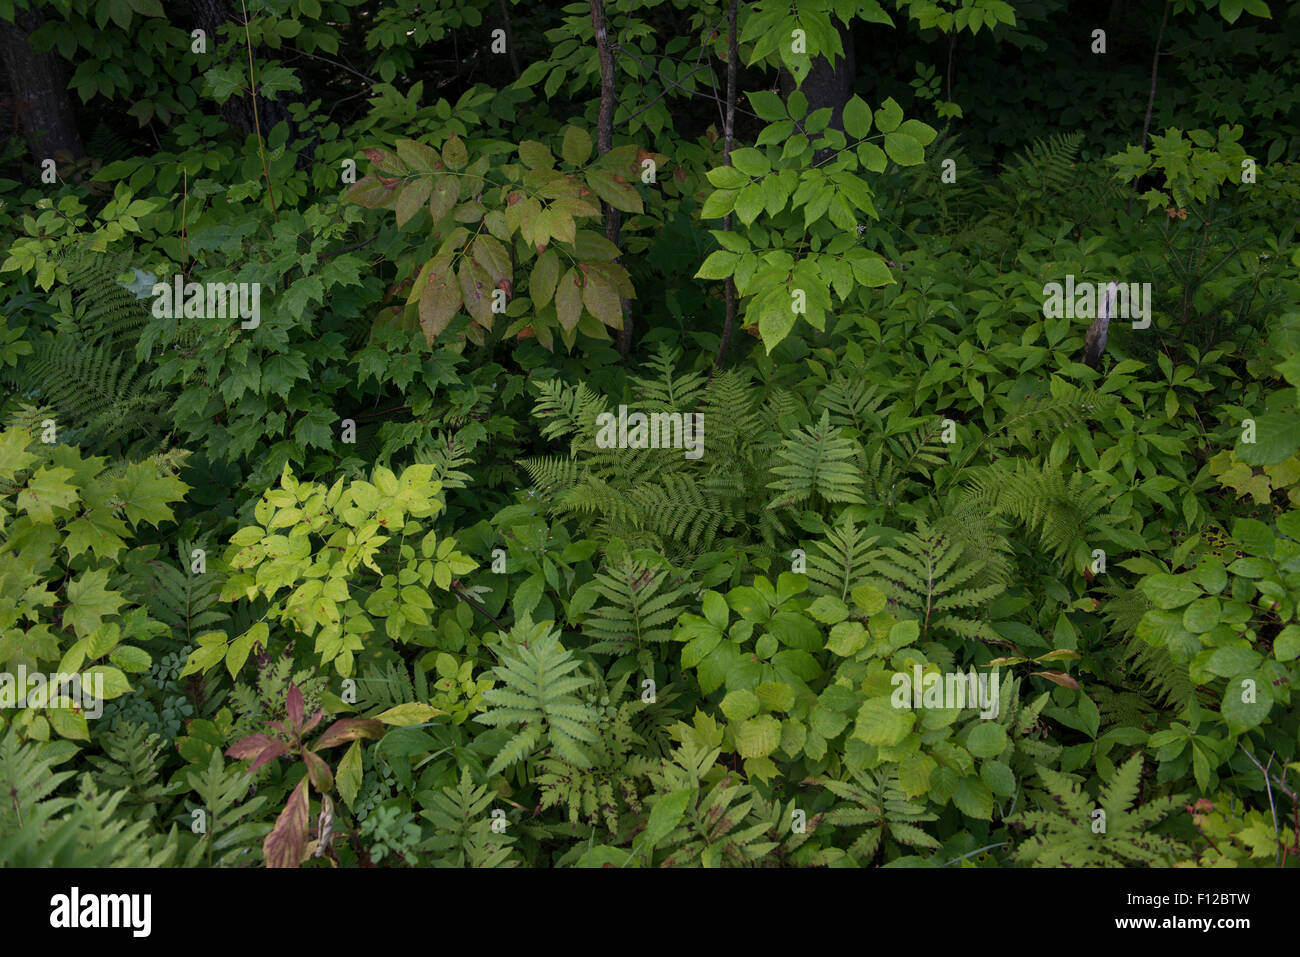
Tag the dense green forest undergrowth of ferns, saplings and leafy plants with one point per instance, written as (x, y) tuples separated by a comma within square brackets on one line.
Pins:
[(384, 571)]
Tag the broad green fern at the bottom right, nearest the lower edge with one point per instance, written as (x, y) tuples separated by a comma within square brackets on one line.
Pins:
[(1069, 834)]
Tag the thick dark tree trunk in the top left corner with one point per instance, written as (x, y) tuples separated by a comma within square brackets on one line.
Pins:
[(38, 90)]
